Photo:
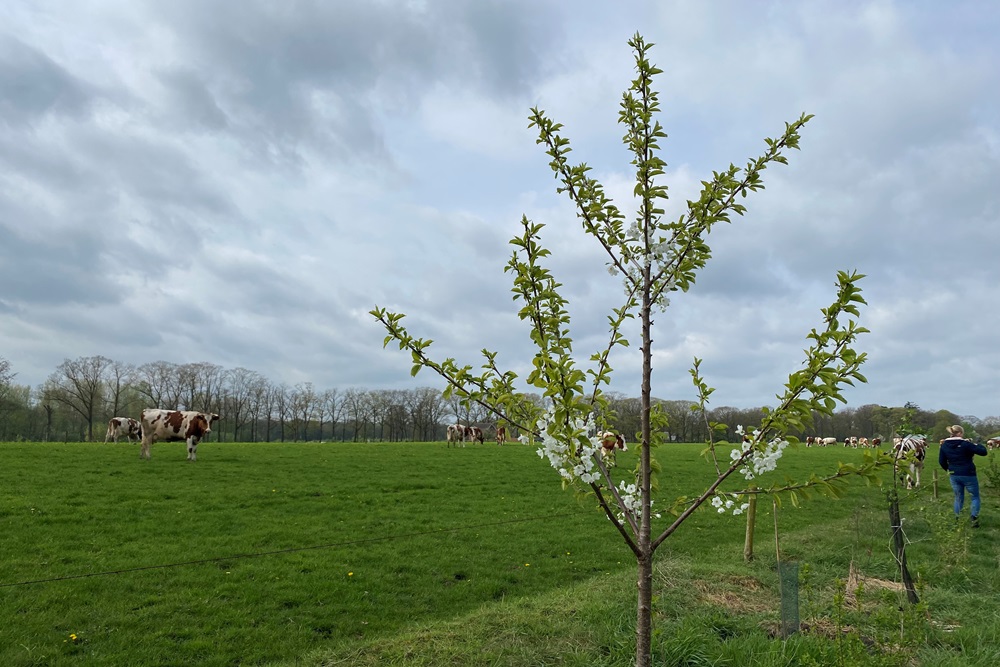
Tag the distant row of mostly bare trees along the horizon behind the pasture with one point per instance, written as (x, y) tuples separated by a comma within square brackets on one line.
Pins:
[(77, 400)]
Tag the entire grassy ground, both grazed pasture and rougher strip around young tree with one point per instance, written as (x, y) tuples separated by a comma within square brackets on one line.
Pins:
[(344, 553)]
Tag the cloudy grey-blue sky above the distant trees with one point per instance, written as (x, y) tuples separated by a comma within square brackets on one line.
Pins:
[(241, 182)]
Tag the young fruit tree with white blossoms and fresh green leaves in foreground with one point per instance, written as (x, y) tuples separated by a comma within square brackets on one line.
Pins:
[(654, 257)]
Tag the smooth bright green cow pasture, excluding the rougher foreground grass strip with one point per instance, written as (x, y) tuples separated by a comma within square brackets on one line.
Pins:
[(307, 547)]
